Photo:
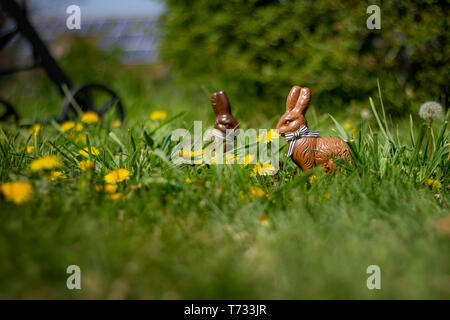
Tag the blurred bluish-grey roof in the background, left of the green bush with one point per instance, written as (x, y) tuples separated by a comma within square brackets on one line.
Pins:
[(129, 26)]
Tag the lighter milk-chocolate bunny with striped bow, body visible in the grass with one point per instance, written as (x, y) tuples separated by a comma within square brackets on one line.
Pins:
[(305, 148)]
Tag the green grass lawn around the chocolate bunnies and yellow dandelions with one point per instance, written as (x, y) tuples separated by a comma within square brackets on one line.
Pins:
[(204, 240)]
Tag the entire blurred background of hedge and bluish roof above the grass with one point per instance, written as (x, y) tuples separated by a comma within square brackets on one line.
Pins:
[(172, 54)]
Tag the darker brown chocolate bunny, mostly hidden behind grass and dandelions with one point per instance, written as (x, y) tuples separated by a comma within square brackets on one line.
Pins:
[(224, 119)]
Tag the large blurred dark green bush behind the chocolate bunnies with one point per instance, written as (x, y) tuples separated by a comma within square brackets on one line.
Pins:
[(262, 47)]
